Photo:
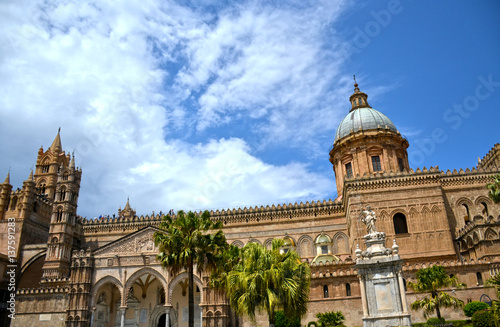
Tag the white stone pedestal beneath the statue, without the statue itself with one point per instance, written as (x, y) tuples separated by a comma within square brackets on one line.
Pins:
[(381, 283)]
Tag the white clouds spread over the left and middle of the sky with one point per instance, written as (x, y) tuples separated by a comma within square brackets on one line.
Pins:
[(98, 70)]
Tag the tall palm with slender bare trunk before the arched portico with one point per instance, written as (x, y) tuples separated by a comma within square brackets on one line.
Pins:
[(188, 240)]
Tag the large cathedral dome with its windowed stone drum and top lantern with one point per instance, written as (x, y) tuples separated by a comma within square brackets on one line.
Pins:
[(366, 143)]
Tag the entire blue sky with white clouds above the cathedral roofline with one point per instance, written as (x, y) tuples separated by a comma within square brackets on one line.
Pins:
[(205, 105)]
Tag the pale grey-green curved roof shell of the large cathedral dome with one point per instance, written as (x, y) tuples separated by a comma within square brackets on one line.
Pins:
[(363, 119)]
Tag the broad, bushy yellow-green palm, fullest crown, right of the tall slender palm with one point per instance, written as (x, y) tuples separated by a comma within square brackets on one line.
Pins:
[(270, 280)]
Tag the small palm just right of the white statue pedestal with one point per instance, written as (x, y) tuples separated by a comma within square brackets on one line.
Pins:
[(431, 280)]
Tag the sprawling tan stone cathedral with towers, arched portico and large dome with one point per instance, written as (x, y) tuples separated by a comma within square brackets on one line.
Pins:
[(59, 269)]
